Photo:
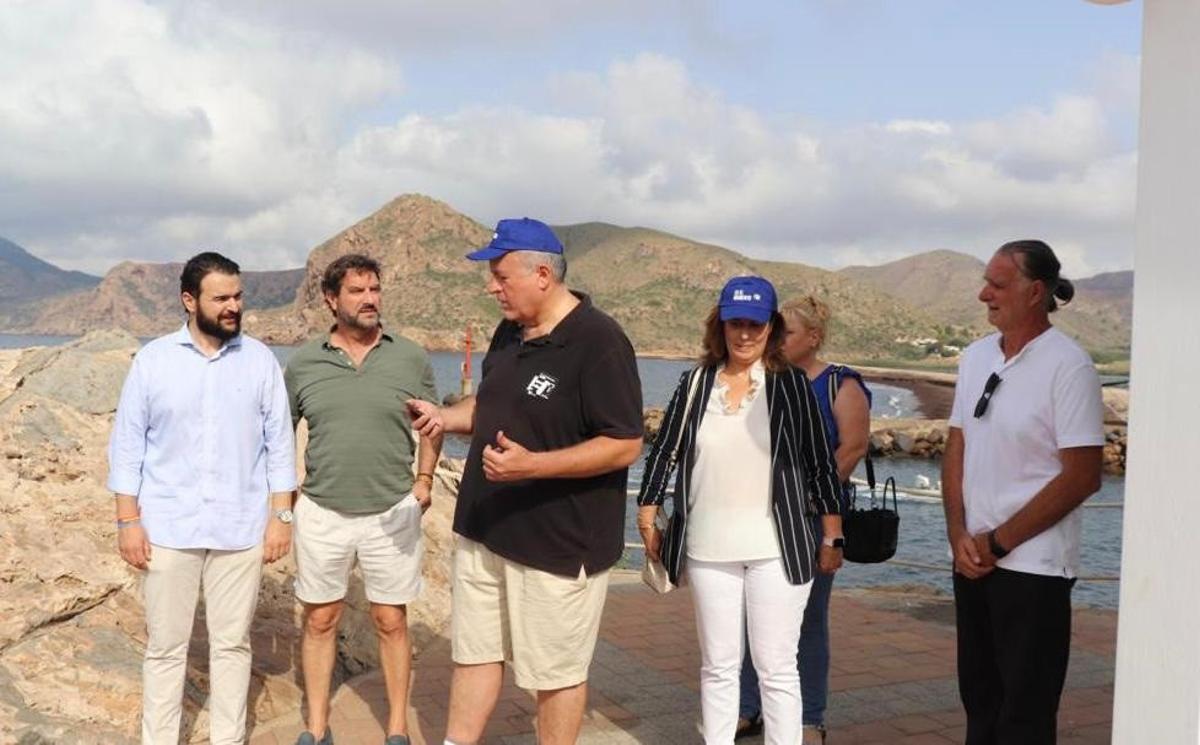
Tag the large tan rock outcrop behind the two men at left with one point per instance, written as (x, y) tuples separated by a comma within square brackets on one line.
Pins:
[(73, 630)]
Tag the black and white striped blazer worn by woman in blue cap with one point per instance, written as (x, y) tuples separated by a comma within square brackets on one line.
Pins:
[(805, 476)]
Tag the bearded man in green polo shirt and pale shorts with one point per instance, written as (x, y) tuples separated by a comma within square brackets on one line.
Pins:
[(359, 500)]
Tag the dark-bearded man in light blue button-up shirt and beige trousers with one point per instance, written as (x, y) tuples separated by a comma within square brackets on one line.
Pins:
[(202, 461)]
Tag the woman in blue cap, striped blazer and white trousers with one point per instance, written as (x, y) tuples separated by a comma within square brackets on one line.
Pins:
[(754, 464)]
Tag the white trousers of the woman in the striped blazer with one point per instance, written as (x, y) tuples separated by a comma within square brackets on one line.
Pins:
[(725, 594)]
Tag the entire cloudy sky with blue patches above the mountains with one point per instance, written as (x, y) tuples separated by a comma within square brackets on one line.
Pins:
[(831, 133)]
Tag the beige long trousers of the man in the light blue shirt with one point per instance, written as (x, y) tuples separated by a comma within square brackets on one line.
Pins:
[(231, 581)]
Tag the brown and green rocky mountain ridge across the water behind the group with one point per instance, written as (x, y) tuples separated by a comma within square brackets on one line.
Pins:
[(659, 286)]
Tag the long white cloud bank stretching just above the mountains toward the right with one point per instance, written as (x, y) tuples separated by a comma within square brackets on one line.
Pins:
[(649, 146)]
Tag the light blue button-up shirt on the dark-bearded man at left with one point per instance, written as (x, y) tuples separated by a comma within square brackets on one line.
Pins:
[(202, 442)]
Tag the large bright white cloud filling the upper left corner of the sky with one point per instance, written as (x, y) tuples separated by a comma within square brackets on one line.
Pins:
[(125, 125)]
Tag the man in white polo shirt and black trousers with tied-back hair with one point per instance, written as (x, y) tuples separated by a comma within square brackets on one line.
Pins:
[(1024, 453)]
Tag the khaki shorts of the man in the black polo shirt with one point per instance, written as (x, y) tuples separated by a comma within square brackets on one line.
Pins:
[(544, 624)]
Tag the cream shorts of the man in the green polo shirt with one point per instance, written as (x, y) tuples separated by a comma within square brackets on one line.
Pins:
[(388, 548)]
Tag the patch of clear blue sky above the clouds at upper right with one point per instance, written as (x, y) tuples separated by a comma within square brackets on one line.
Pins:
[(845, 62)]
